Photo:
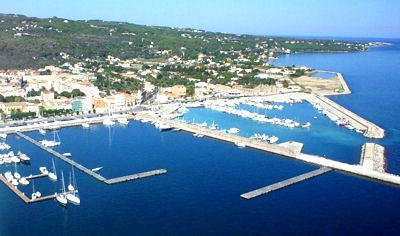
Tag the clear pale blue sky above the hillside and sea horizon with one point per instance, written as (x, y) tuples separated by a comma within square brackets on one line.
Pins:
[(337, 18)]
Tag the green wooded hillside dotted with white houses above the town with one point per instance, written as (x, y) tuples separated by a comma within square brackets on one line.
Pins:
[(28, 42)]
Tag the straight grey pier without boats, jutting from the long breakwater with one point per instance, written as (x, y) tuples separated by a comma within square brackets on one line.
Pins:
[(285, 183)]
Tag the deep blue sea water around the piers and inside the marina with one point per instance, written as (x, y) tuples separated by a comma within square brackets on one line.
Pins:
[(200, 193)]
